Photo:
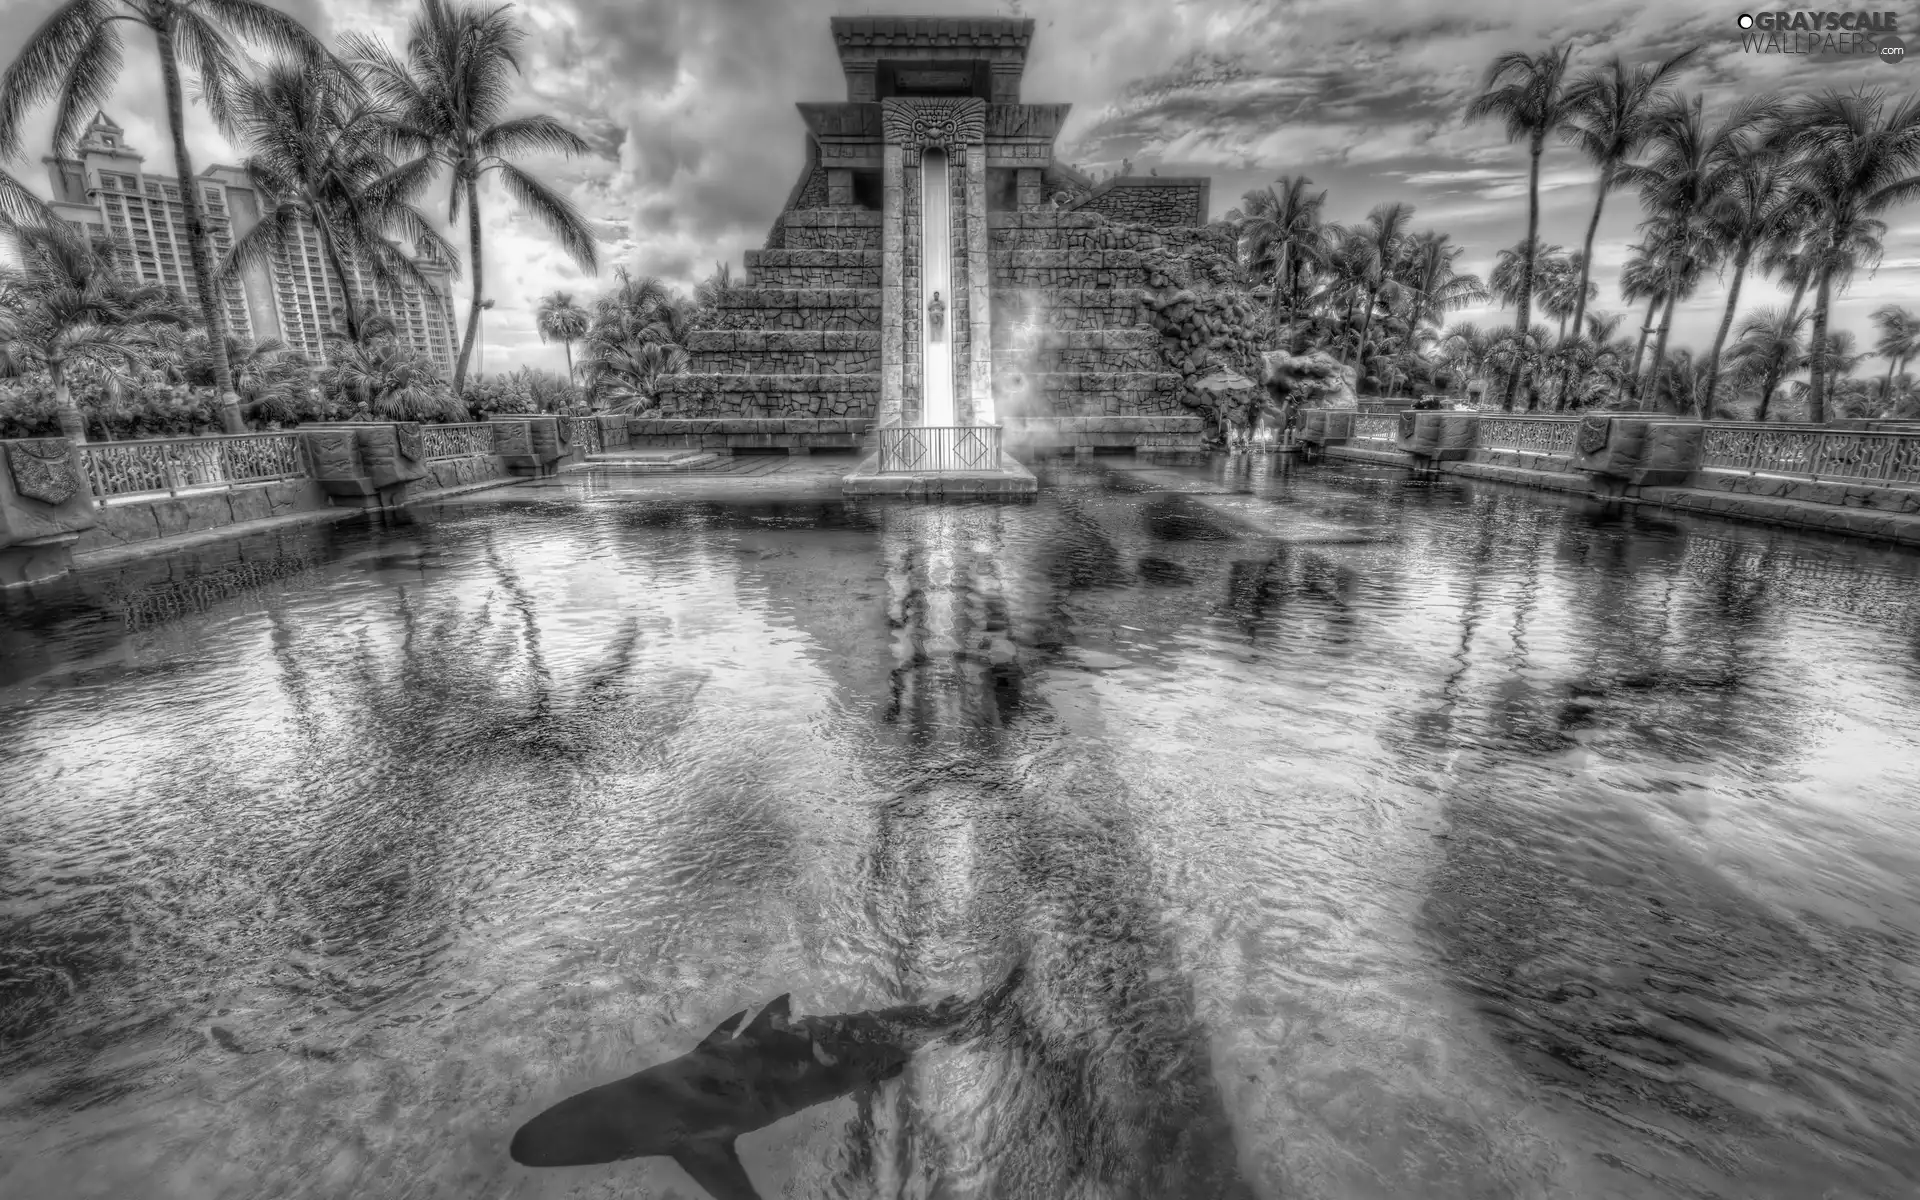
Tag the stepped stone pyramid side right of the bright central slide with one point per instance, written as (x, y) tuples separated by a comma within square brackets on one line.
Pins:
[(1074, 358)]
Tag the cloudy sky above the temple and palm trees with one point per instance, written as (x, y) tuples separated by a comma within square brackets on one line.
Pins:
[(690, 108)]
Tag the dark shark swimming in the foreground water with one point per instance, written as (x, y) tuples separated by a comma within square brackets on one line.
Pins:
[(744, 1076)]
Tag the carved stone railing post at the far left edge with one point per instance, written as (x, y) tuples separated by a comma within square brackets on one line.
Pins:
[(45, 506)]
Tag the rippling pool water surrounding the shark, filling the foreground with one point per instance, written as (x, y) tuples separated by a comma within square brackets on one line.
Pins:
[(1364, 838)]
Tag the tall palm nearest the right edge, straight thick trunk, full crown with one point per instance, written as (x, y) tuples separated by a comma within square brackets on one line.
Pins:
[(1858, 156)]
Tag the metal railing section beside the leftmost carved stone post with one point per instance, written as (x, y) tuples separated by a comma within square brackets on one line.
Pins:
[(176, 466)]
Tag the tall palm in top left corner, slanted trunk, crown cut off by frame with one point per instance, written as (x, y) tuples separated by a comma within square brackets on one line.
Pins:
[(76, 57)]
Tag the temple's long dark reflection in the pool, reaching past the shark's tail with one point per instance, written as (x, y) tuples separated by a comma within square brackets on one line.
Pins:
[(1007, 840)]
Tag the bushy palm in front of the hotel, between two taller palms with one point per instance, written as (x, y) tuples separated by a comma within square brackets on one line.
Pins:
[(318, 160)]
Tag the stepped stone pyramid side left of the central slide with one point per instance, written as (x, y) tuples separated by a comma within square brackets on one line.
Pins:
[(792, 360)]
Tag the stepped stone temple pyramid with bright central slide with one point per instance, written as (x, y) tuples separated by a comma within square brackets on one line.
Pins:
[(938, 287)]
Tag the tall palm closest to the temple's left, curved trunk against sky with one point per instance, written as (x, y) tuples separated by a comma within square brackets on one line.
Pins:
[(452, 93)]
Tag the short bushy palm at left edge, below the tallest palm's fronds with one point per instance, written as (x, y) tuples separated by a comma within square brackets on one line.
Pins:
[(70, 308)]
